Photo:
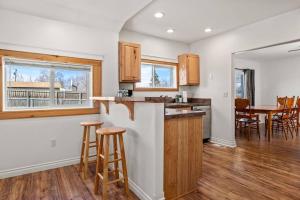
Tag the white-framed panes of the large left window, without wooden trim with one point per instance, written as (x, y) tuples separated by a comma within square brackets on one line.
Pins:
[(36, 85)]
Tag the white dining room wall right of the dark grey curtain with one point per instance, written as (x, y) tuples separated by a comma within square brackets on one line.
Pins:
[(280, 78)]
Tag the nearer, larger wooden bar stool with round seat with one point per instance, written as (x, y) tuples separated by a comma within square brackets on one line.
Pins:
[(103, 159)]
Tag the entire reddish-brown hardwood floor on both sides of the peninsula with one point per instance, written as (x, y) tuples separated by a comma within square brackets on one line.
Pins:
[(255, 170)]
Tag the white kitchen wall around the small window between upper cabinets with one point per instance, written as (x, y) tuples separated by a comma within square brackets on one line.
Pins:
[(157, 49)]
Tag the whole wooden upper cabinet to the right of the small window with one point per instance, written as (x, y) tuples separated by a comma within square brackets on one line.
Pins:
[(189, 69)]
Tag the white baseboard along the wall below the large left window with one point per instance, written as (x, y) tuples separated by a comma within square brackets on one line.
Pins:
[(38, 167)]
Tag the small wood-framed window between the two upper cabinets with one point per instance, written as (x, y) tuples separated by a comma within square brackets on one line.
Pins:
[(158, 75)]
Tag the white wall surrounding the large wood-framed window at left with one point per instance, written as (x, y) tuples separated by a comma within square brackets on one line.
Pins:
[(26, 142)]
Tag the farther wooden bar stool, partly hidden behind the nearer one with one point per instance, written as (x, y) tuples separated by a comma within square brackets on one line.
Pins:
[(86, 145)]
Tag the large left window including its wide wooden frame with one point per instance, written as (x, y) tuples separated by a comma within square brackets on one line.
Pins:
[(36, 85)]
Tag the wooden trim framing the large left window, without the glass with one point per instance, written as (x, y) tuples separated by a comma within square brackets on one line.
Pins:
[(96, 91)]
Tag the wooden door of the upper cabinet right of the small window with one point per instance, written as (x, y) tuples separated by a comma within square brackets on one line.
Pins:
[(193, 70)]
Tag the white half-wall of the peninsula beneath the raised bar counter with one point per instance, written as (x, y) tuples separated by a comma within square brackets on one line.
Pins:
[(143, 144)]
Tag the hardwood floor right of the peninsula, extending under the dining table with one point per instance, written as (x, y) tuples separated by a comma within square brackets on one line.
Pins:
[(255, 169)]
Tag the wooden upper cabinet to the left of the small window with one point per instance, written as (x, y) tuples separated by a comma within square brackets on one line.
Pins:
[(129, 62)]
